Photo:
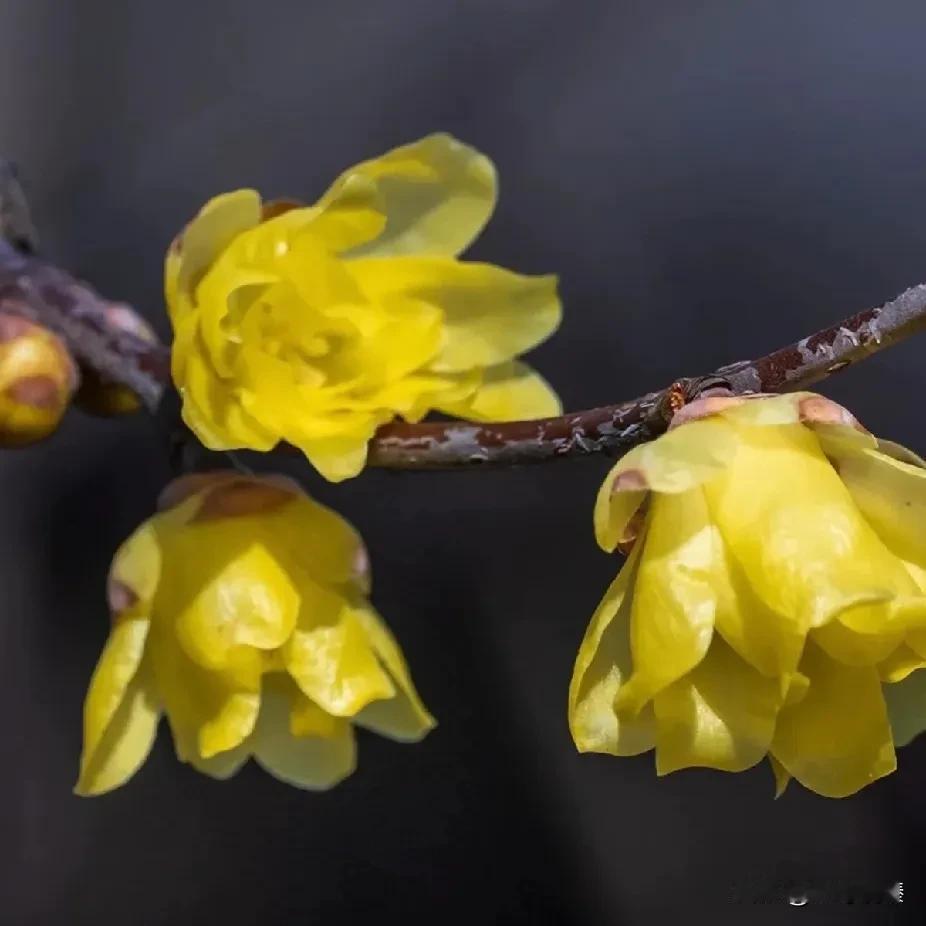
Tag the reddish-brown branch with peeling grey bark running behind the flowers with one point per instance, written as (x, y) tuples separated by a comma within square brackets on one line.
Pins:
[(44, 293)]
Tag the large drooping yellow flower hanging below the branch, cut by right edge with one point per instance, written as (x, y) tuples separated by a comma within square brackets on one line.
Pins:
[(773, 603)]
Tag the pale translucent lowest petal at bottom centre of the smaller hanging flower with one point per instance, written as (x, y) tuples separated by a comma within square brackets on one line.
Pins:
[(310, 762)]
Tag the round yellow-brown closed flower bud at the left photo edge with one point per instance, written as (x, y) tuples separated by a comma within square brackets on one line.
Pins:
[(37, 380)]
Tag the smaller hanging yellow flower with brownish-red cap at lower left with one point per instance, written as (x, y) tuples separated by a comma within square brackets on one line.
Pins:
[(240, 612)]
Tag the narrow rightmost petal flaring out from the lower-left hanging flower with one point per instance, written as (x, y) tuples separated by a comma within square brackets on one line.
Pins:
[(403, 716)]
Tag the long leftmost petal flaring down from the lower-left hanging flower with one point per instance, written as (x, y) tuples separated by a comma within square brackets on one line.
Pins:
[(119, 712)]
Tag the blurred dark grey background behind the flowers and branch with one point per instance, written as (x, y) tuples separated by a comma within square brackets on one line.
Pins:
[(710, 180)]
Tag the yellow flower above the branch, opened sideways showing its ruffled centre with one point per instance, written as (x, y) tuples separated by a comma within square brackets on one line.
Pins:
[(315, 325)]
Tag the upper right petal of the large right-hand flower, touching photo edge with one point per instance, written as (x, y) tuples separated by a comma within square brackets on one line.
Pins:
[(891, 494)]
